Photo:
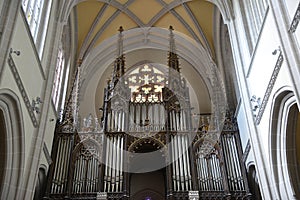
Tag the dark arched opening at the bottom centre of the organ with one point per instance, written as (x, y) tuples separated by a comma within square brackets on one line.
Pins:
[(146, 184)]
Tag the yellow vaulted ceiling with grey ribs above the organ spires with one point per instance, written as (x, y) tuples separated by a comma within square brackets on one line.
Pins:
[(99, 20)]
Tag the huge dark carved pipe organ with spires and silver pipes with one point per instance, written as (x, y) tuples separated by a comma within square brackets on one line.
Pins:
[(147, 145)]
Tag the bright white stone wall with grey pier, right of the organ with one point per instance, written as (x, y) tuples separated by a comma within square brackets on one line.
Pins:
[(254, 77)]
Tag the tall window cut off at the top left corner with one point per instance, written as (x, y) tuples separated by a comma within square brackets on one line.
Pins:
[(37, 13)]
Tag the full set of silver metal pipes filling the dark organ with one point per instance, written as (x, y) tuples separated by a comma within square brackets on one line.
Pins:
[(151, 117)]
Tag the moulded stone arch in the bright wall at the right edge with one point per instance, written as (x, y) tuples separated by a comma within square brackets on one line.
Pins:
[(283, 145)]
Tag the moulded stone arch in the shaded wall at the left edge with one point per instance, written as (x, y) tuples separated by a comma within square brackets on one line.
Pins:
[(13, 137)]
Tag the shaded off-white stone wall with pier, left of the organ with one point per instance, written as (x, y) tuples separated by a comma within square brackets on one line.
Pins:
[(28, 79)]
